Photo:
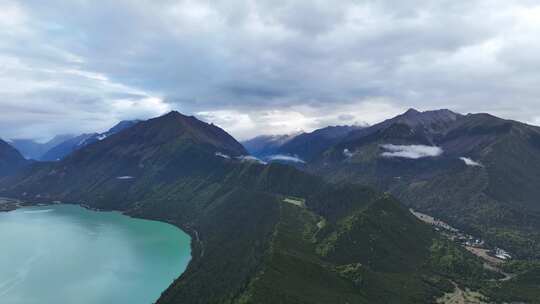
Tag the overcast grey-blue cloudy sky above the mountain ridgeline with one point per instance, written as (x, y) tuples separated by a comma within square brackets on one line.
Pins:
[(268, 66)]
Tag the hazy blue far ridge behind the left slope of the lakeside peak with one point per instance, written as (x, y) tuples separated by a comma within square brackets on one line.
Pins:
[(74, 143)]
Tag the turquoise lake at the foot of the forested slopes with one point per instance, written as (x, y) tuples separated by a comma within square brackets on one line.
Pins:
[(67, 254)]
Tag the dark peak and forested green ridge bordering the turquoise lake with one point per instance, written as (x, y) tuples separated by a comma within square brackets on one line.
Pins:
[(260, 233)]
